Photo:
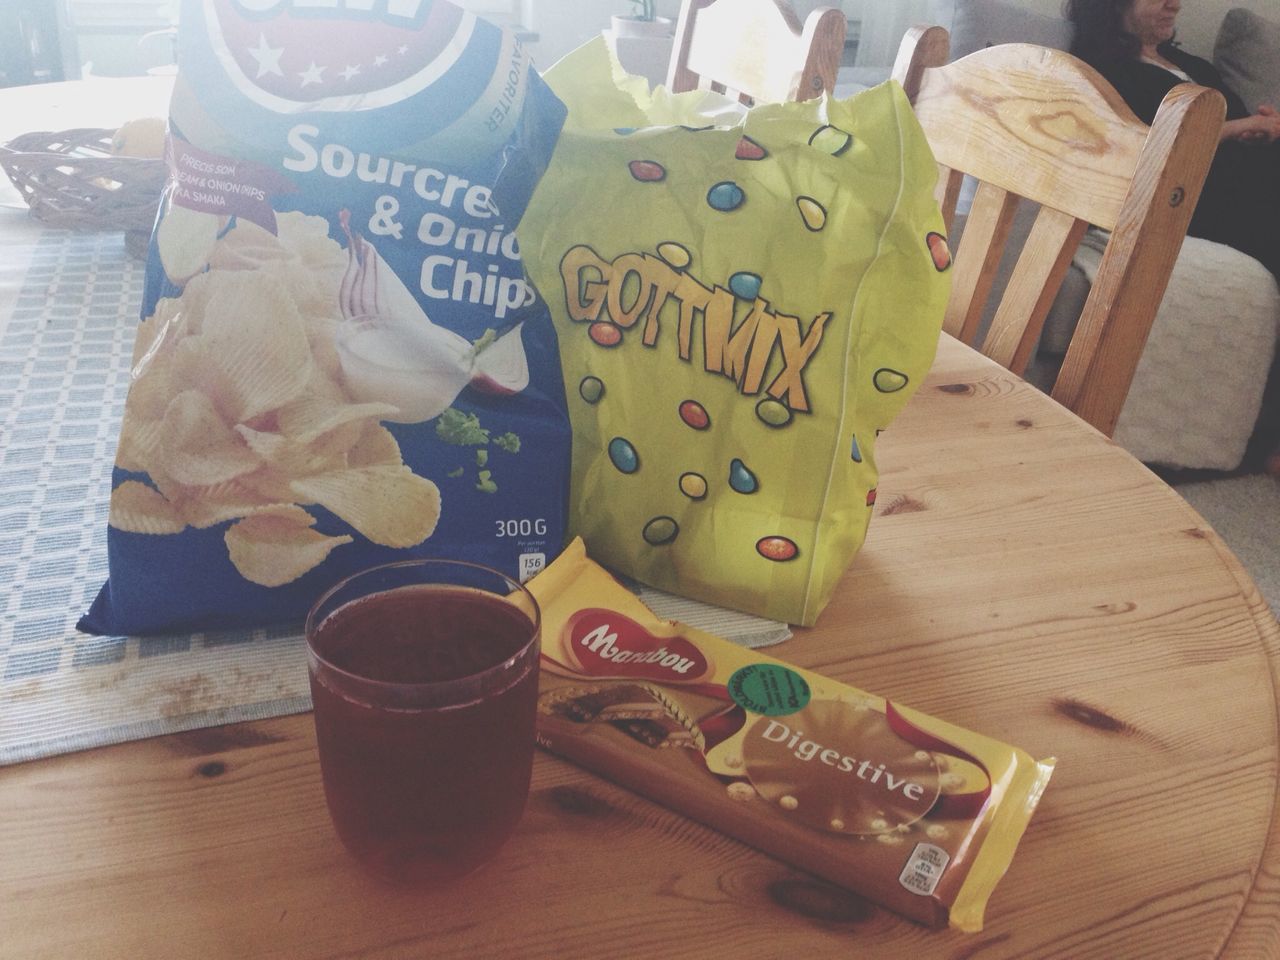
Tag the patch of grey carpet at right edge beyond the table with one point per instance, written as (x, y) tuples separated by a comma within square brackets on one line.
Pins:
[(1246, 514)]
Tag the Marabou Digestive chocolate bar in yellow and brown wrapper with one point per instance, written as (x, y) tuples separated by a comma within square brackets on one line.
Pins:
[(908, 811)]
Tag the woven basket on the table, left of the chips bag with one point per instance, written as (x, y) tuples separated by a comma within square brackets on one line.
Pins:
[(72, 180)]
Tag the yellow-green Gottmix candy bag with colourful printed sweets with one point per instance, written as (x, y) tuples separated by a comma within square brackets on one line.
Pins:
[(744, 300)]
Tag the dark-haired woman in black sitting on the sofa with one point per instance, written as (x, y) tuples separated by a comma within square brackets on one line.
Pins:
[(1131, 44)]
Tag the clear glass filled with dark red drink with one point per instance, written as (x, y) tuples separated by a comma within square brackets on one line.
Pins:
[(424, 680)]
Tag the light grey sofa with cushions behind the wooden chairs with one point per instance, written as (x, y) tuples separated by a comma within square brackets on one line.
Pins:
[(1197, 392)]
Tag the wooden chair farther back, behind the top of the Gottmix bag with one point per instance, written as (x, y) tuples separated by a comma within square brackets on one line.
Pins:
[(756, 51)]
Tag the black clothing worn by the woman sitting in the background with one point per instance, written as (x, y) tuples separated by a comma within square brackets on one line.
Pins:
[(1241, 203)]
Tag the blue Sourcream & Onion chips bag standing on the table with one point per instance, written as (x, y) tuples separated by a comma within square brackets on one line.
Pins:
[(341, 362)]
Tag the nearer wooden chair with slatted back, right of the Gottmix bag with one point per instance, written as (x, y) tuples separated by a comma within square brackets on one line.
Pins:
[(1039, 124)]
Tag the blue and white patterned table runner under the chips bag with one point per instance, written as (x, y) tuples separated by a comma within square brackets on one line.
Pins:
[(66, 344)]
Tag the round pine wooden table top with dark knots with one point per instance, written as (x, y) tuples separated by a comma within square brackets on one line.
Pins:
[(1023, 578)]
